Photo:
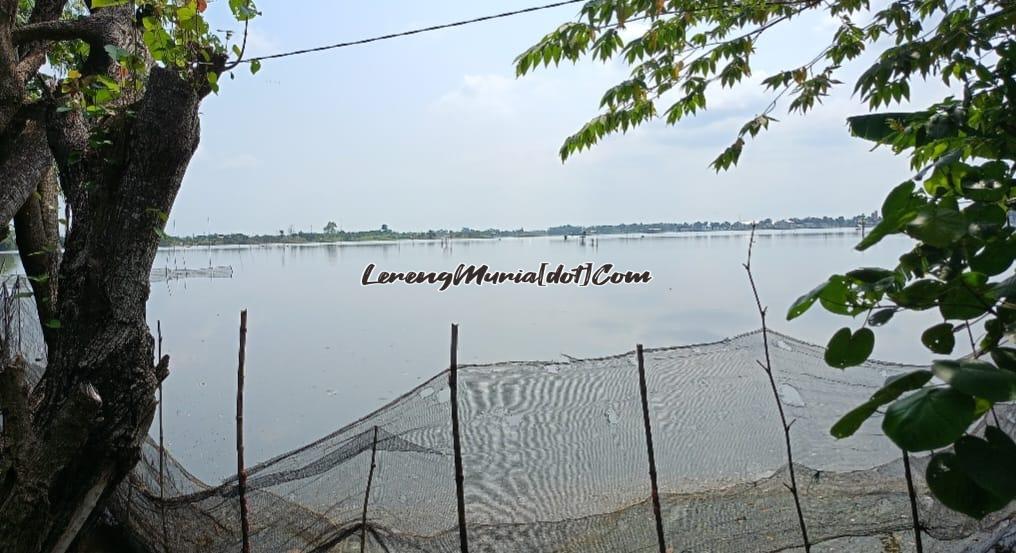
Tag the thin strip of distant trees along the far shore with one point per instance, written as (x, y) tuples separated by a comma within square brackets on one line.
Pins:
[(385, 234)]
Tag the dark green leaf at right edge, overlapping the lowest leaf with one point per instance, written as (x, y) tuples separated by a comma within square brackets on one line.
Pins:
[(989, 462)]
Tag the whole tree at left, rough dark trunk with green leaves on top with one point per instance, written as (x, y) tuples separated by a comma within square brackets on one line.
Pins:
[(99, 103)]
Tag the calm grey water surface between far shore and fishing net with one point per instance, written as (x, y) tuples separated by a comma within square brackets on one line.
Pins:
[(325, 351)]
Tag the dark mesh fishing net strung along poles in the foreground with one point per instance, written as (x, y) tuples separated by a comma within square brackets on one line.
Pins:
[(555, 461)]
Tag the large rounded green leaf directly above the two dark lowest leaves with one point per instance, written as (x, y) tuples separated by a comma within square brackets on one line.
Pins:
[(929, 419)]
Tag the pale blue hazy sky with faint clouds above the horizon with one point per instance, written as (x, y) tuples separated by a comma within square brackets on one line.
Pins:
[(435, 132)]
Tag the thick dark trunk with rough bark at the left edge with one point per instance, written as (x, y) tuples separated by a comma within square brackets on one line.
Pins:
[(91, 412)]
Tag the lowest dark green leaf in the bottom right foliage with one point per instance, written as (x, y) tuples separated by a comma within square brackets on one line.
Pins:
[(957, 490)]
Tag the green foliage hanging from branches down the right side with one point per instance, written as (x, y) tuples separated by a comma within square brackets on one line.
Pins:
[(956, 208)]
